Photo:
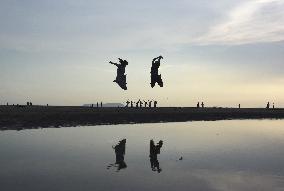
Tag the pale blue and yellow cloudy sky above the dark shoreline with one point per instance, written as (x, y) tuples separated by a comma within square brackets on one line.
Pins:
[(224, 52)]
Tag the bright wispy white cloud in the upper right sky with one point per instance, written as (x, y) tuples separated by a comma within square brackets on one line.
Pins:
[(250, 22)]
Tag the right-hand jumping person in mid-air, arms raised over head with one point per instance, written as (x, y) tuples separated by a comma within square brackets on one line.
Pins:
[(155, 76)]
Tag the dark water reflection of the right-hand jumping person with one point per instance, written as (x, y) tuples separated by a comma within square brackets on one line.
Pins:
[(154, 151)]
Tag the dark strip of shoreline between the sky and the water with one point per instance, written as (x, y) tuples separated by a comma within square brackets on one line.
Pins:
[(32, 117)]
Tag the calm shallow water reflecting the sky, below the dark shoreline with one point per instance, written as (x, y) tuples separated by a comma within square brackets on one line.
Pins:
[(219, 155)]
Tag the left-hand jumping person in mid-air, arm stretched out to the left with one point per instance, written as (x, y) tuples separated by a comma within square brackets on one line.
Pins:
[(120, 76)]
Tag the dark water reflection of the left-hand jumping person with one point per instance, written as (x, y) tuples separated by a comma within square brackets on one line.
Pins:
[(119, 156)]
